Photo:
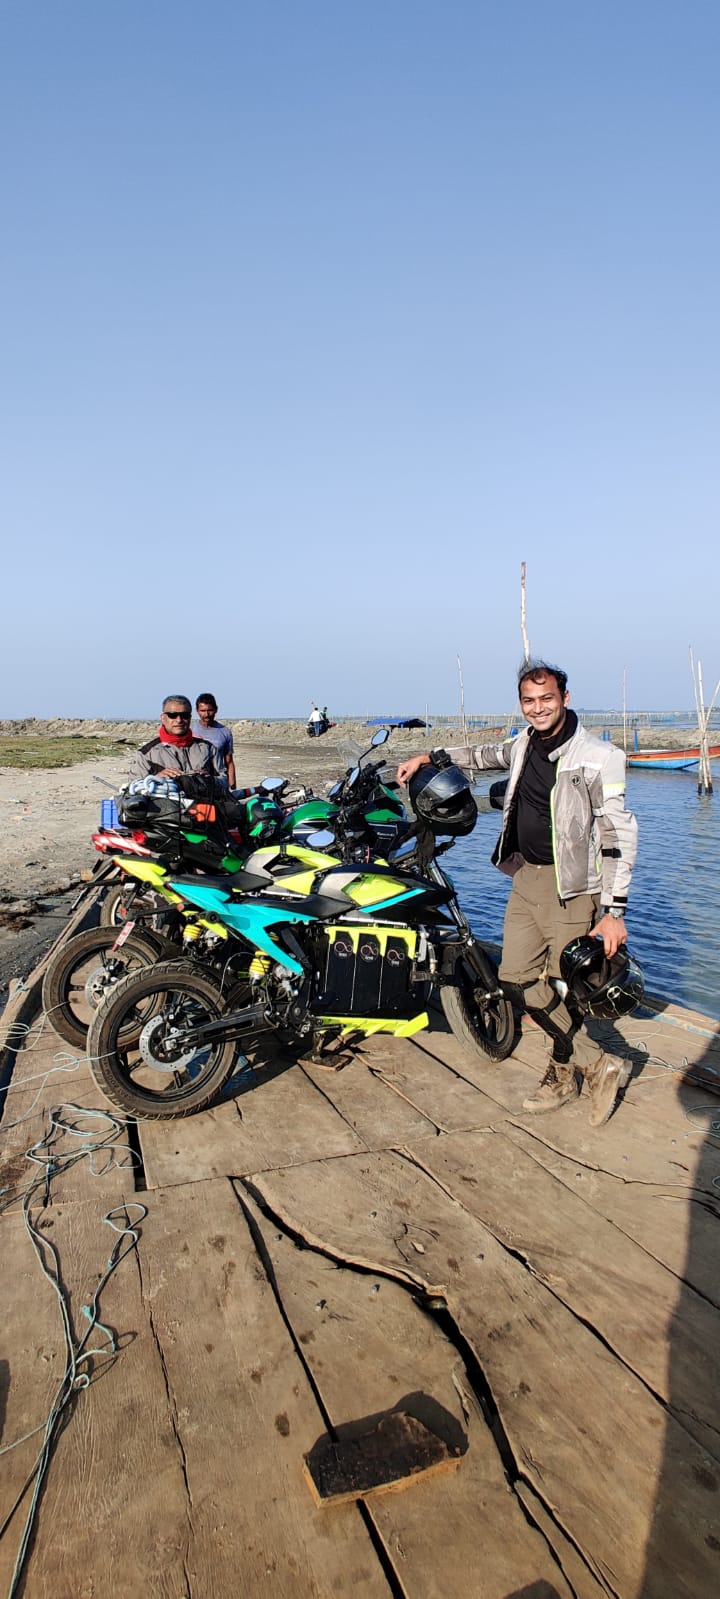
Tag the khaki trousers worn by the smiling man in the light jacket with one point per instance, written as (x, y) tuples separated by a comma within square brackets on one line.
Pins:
[(537, 930)]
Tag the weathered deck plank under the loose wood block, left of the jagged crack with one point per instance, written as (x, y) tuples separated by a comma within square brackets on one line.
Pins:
[(370, 1349)]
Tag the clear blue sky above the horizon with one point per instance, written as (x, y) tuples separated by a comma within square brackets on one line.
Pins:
[(319, 317)]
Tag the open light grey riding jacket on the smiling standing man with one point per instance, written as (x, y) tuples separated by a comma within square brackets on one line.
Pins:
[(594, 837)]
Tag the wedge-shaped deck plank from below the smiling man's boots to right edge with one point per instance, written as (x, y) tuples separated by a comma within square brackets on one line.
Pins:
[(674, 1226)]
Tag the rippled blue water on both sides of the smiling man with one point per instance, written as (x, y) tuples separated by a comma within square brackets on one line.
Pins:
[(674, 909)]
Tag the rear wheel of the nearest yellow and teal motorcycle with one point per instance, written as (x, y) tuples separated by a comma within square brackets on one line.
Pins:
[(142, 1077)]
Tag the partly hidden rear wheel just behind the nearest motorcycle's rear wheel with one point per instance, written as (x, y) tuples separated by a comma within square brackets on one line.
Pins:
[(82, 973)]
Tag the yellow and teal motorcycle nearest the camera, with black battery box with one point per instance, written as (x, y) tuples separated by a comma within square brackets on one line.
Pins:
[(342, 949)]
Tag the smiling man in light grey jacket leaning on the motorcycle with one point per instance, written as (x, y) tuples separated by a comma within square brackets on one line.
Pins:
[(569, 845)]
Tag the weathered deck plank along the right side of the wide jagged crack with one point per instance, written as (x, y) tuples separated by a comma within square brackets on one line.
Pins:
[(585, 1430)]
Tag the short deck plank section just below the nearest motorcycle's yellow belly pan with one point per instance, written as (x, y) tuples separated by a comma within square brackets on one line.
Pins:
[(380, 1117)]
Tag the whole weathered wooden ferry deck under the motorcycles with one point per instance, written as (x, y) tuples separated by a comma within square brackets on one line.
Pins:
[(330, 1246)]
